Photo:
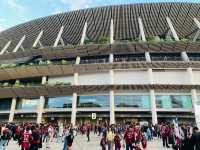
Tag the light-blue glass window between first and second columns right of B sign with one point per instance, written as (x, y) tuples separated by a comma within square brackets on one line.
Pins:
[(137, 101)]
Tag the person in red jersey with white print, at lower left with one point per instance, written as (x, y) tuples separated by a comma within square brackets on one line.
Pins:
[(26, 139)]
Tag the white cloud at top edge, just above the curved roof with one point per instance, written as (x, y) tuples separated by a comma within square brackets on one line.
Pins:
[(77, 4)]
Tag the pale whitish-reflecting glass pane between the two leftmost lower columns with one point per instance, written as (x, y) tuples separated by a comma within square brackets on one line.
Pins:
[(27, 104)]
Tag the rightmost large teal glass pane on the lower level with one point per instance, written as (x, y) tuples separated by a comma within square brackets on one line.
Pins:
[(173, 101)]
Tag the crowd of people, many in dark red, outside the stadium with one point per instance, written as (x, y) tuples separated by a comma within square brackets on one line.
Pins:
[(129, 136)]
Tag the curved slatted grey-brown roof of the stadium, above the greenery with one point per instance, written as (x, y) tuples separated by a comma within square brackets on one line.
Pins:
[(125, 21)]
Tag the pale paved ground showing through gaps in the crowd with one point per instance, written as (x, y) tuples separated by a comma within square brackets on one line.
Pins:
[(81, 143)]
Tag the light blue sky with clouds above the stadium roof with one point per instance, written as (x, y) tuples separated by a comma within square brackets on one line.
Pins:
[(13, 12)]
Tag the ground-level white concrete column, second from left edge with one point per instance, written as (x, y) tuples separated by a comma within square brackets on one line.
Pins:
[(40, 109)]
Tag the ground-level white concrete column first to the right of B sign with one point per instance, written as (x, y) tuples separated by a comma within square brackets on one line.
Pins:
[(112, 108)]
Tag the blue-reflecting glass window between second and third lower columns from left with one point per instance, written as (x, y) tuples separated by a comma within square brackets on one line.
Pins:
[(59, 102)]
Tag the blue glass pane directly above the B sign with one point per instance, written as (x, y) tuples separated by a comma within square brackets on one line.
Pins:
[(93, 101)]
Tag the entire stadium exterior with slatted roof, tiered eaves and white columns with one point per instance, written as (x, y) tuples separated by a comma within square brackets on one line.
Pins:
[(129, 62)]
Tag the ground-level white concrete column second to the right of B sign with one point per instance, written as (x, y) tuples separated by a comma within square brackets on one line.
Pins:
[(153, 107)]
